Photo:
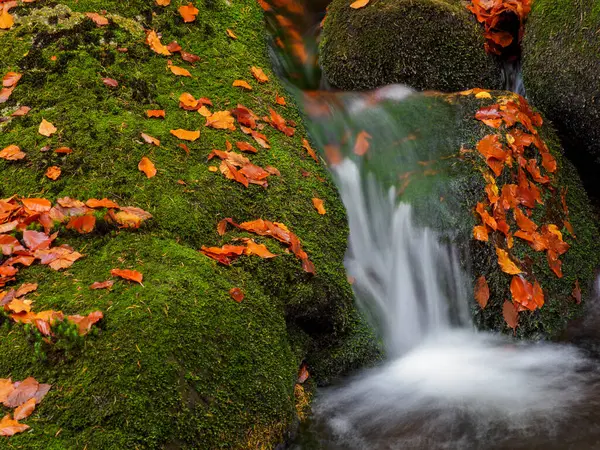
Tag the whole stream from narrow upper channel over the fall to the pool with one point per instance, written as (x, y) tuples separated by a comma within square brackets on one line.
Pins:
[(443, 385)]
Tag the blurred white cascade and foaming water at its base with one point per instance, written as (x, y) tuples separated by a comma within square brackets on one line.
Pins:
[(445, 385)]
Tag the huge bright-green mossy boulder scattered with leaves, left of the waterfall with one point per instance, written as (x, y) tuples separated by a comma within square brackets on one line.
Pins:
[(175, 363)]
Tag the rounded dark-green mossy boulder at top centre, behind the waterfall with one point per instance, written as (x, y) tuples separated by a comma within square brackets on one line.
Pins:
[(426, 44)]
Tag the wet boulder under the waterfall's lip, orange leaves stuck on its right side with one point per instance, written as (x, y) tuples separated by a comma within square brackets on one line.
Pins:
[(425, 148)]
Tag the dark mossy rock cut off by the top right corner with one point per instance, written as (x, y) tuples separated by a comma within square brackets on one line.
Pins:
[(561, 71)]
